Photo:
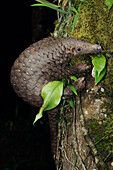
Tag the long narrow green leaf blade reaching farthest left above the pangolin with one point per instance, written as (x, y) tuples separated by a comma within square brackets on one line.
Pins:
[(52, 7)]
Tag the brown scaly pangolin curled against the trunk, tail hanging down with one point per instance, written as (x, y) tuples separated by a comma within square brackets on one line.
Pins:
[(44, 61)]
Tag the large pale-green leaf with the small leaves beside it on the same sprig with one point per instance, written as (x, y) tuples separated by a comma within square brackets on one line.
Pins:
[(52, 93)]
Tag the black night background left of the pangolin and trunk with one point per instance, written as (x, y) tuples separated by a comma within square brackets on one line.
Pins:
[(22, 145)]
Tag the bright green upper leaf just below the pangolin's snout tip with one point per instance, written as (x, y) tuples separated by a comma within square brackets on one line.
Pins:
[(99, 63)]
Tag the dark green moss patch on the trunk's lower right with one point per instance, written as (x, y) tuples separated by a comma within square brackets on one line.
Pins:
[(102, 135)]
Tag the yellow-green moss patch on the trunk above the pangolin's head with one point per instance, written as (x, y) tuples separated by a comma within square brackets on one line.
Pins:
[(95, 23)]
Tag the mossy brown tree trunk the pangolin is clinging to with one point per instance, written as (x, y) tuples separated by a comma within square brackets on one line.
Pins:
[(85, 137)]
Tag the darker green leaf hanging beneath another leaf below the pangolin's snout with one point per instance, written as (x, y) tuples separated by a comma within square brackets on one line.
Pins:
[(101, 75)]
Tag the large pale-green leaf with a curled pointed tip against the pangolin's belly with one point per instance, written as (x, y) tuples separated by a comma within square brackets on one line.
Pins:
[(51, 94)]
